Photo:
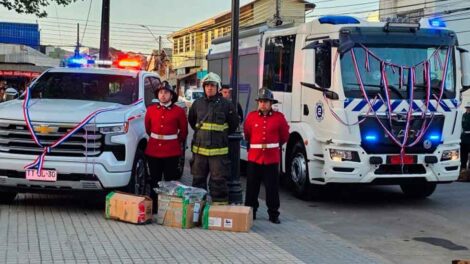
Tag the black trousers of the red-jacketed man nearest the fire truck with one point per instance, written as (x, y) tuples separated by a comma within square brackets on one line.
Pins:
[(269, 175)]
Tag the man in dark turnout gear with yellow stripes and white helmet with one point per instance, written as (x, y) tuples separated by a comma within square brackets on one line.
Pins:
[(213, 118)]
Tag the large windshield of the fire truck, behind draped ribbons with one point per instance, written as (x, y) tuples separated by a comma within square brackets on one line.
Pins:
[(369, 63)]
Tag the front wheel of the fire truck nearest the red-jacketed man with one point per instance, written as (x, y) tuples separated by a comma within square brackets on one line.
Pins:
[(297, 171)]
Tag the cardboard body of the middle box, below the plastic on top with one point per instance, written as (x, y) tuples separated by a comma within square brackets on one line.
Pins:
[(178, 212)]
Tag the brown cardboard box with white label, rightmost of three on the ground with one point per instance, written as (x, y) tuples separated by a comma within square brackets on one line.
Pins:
[(228, 218)]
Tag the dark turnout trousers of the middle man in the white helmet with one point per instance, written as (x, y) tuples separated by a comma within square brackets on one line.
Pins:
[(219, 169)]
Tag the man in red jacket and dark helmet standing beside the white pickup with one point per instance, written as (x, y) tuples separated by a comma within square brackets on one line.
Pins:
[(167, 127)]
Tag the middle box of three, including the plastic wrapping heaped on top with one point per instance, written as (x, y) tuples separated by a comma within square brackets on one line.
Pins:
[(179, 205)]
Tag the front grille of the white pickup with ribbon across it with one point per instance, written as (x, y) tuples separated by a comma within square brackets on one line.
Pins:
[(15, 138)]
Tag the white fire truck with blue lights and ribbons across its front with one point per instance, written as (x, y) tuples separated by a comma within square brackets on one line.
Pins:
[(367, 102)]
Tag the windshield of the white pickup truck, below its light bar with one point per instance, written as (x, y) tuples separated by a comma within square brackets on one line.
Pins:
[(86, 86)]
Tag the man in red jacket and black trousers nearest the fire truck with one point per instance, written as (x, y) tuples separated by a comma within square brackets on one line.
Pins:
[(265, 131)]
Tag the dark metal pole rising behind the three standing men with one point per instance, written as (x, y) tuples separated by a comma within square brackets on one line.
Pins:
[(235, 189)]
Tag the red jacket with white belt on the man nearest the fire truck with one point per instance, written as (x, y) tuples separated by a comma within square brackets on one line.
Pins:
[(262, 129)]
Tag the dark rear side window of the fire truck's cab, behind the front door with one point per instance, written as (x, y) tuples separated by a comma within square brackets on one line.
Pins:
[(279, 63)]
